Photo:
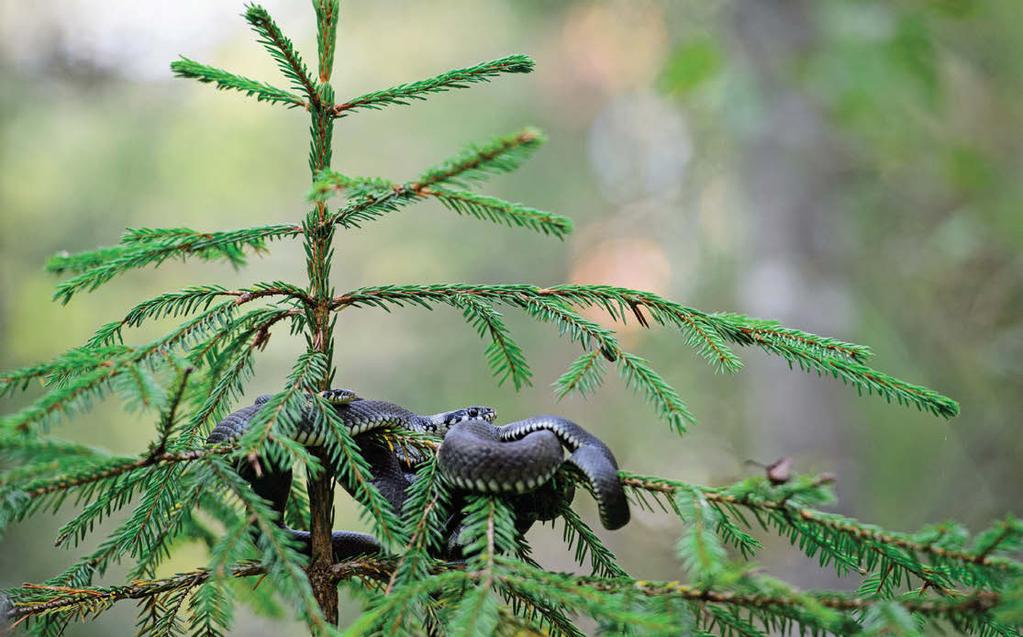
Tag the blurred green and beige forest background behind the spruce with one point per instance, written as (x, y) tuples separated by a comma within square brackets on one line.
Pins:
[(850, 167)]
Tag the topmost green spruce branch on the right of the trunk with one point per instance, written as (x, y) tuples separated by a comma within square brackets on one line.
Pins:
[(458, 79)]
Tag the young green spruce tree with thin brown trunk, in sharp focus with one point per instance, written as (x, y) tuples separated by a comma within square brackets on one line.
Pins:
[(182, 489)]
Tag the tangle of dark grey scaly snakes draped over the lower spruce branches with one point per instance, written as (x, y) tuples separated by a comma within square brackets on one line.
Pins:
[(516, 461)]
